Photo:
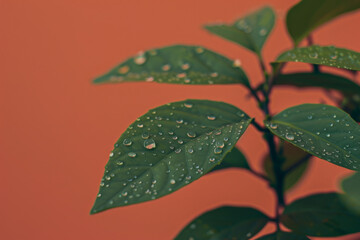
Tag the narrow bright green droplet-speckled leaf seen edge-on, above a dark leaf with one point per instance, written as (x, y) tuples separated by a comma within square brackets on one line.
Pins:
[(327, 56)]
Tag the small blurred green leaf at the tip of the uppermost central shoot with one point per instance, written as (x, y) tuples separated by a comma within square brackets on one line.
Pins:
[(250, 32)]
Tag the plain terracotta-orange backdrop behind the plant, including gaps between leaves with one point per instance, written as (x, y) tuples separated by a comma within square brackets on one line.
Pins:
[(57, 129)]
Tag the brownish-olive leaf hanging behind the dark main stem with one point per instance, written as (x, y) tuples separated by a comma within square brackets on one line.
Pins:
[(292, 155)]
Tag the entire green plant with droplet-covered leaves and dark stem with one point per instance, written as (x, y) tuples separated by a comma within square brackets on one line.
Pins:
[(175, 144)]
